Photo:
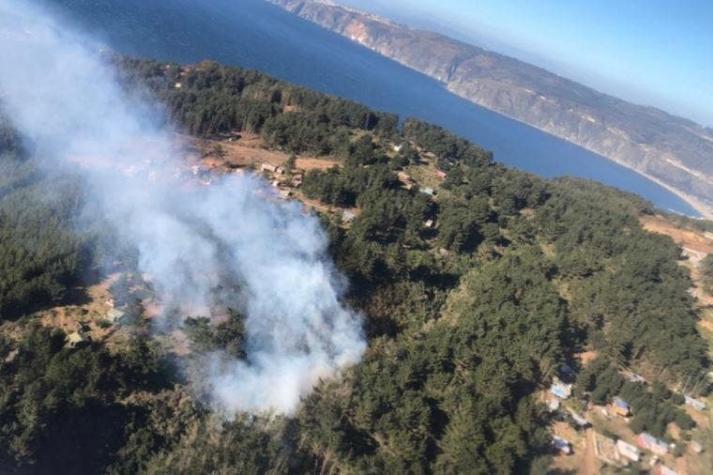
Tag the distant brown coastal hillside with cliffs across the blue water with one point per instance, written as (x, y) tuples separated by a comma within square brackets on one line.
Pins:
[(671, 150)]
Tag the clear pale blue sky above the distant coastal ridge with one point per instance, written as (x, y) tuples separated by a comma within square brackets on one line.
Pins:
[(654, 52)]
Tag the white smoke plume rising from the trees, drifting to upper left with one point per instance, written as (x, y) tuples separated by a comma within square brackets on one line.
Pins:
[(60, 93)]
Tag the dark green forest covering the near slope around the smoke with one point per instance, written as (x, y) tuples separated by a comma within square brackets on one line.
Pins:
[(467, 318)]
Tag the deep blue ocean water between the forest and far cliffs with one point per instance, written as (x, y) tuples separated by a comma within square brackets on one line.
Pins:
[(255, 34)]
